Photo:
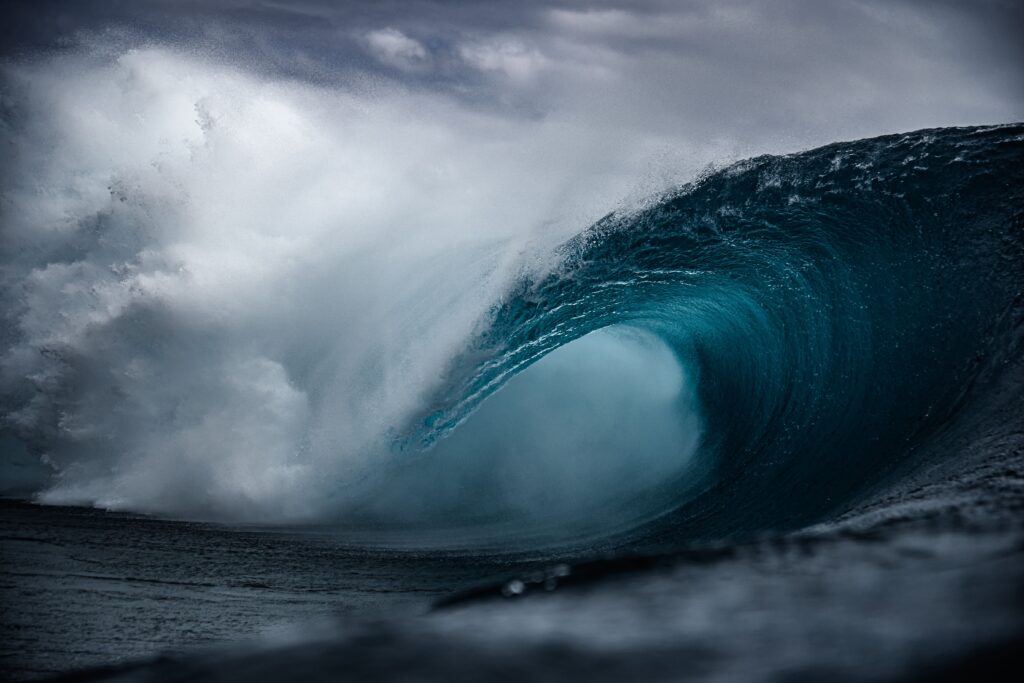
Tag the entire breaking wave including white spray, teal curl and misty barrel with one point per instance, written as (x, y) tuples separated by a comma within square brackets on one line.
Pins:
[(190, 329)]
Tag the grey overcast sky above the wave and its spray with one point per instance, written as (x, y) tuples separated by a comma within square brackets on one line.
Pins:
[(756, 75)]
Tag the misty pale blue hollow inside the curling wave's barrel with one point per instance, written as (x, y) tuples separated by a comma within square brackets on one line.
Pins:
[(596, 438)]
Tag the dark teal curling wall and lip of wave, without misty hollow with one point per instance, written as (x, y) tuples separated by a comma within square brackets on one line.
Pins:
[(839, 309)]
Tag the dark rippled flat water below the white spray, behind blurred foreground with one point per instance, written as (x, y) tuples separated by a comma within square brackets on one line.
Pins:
[(82, 587)]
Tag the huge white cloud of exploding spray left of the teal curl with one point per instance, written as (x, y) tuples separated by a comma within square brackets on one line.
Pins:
[(225, 293)]
